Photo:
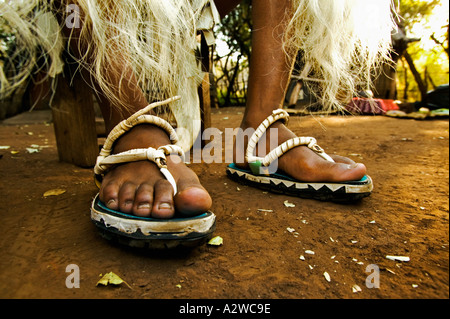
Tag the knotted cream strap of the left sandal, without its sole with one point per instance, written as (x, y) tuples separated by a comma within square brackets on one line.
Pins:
[(105, 160)]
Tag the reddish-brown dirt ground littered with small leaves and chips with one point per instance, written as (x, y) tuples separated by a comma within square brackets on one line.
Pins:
[(407, 215)]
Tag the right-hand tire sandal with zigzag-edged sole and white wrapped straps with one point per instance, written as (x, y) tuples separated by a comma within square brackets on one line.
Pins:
[(259, 175)]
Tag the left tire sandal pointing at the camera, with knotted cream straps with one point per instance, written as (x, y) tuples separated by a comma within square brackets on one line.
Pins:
[(146, 232)]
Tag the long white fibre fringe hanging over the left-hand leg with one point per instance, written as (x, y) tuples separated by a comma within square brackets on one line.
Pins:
[(158, 40)]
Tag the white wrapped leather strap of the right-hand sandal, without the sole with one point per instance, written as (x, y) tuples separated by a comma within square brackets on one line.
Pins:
[(277, 152)]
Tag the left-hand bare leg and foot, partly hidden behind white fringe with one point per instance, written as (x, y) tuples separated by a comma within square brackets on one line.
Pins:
[(138, 188)]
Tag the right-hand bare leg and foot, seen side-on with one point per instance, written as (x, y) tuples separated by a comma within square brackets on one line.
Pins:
[(270, 69)]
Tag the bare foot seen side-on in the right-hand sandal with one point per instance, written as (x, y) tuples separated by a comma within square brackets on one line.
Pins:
[(302, 163)]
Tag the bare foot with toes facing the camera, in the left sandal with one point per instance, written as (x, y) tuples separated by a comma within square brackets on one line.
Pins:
[(139, 188)]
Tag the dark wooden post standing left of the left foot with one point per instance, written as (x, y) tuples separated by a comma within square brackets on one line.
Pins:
[(74, 122)]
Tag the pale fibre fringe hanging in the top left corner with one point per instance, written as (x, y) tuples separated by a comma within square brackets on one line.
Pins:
[(37, 37)]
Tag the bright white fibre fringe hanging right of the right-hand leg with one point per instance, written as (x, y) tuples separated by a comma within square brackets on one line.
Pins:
[(342, 42)]
